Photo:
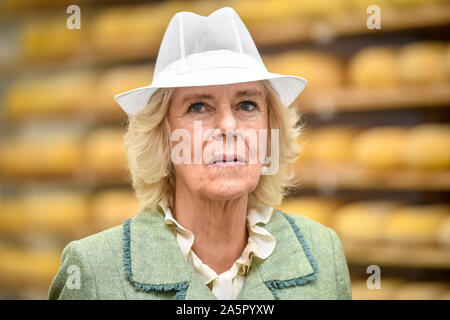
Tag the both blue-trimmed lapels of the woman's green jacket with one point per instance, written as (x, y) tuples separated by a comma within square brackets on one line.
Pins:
[(150, 246)]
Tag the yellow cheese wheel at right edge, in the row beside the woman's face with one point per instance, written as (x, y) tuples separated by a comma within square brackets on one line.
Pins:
[(427, 146)]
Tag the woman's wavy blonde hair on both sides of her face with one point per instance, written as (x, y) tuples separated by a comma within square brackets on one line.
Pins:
[(147, 145)]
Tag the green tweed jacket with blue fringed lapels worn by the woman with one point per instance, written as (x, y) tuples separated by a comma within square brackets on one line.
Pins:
[(141, 259)]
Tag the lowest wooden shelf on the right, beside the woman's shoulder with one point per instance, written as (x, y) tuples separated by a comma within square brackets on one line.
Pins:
[(397, 256)]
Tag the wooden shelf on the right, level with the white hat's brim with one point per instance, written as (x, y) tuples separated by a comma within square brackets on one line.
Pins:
[(366, 99)]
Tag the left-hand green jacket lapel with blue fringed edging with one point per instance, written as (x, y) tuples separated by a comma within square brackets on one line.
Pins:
[(153, 260)]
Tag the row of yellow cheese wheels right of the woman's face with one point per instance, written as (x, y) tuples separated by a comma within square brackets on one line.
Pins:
[(423, 147)]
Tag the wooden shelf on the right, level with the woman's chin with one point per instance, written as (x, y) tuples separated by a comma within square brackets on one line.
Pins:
[(350, 176)]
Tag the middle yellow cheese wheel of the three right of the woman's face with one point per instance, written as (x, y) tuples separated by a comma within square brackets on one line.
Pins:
[(379, 147)]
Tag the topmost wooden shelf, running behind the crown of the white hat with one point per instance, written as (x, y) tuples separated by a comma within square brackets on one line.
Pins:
[(287, 31)]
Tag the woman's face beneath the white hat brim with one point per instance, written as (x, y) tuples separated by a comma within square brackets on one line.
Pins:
[(221, 160)]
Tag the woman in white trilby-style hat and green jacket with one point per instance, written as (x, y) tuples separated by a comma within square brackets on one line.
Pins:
[(207, 228)]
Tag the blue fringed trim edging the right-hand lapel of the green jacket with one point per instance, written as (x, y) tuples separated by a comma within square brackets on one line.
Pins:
[(278, 284)]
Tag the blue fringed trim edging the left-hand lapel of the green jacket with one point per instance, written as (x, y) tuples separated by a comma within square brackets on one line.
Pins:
[(180, 287)]
